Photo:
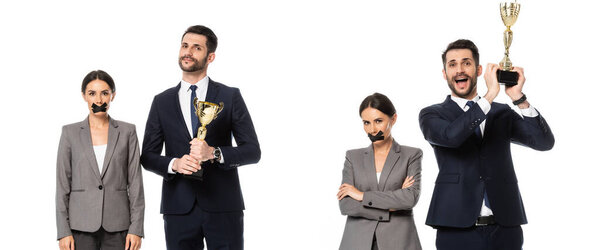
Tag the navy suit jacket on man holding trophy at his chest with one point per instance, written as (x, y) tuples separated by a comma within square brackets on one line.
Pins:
[(220, 188)]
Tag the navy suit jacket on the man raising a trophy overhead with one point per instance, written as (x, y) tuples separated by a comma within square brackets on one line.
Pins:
[(468, 165)]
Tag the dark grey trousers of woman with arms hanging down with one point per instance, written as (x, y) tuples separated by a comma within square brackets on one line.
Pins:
[(99, 240)]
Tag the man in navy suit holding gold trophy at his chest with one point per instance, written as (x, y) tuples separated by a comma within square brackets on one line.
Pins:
[(209, 209)]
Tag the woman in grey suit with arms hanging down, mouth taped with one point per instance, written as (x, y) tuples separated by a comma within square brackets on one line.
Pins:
[(99, 190)]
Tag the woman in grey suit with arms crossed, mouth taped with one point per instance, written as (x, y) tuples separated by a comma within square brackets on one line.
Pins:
[(380, 185)]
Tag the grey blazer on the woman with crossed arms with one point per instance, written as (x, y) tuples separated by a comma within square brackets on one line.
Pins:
[(394, 230)]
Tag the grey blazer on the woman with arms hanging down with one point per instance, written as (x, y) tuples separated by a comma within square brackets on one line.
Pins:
[(87, 199)]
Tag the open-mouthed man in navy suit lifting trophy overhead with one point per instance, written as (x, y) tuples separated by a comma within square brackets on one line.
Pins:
[(476, 202)]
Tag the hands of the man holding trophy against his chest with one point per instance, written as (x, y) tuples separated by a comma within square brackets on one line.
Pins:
[(190, 163)]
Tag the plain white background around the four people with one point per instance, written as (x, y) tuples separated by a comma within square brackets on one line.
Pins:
[(303, 68)]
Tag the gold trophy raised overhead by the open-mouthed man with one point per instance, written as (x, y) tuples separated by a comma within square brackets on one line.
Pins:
[(509, 13)]
